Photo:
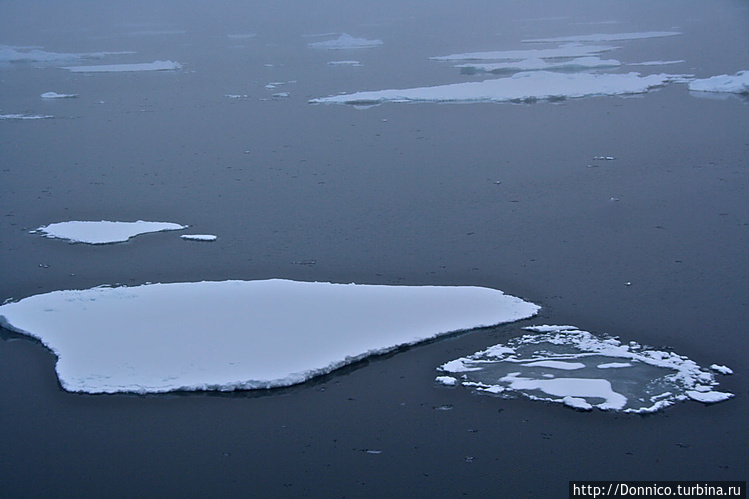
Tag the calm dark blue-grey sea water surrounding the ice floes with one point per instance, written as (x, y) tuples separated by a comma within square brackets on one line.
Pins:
[(496, 195)]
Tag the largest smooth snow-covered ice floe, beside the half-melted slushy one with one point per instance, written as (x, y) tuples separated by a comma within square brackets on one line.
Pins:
[(240, 334)]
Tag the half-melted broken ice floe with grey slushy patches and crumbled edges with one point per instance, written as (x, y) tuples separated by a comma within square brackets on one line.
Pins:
[(565, 365)]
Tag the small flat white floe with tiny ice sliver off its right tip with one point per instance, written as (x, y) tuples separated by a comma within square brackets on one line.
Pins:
[(102, 232)]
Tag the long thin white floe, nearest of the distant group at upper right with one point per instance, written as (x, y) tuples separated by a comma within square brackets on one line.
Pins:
[(520, 87)]
